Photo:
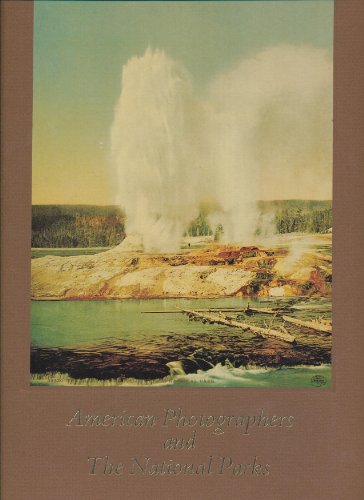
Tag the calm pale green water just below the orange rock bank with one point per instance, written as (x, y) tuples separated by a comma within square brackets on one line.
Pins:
[(66, 323)]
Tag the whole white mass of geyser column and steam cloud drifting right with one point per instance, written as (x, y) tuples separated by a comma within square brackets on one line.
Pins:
[(262, 131)]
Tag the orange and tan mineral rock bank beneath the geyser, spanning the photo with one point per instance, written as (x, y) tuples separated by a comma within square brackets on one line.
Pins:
[(116, 274)]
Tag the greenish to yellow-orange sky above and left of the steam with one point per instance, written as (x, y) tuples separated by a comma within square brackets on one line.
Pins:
[(81, 47)]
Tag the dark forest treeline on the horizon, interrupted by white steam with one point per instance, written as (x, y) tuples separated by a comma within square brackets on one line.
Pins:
[(71, 226)]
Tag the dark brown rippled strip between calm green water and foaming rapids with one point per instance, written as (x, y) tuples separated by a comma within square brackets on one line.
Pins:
[(168, 354)]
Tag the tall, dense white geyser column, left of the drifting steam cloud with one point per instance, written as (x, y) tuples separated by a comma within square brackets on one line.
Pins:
[(153, 142)]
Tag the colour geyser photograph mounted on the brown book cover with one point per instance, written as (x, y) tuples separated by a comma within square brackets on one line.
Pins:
[(182, 194)]
